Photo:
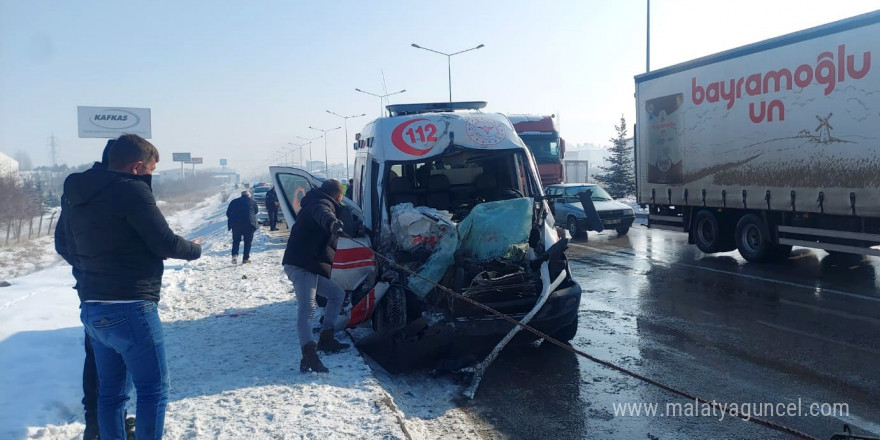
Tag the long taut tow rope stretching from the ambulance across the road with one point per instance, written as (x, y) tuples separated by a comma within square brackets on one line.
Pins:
[(758, 420)]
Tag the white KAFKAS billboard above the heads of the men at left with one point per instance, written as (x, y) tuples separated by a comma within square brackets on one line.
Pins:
[(111, 122)]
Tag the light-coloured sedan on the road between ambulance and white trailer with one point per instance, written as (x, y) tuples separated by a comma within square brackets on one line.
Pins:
[(567, 208)]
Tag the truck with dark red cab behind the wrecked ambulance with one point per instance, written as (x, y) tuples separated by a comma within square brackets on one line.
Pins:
[(541, 136)]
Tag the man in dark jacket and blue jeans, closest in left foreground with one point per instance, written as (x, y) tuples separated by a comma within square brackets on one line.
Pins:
[(119, 239)]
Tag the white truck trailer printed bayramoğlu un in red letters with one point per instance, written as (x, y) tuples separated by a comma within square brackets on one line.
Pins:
[(767, 146)]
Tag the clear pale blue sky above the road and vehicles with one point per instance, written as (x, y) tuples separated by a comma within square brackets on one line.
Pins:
[(241, 79)]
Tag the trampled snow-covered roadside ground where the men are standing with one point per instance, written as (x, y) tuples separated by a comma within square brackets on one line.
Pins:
[(232, 354)]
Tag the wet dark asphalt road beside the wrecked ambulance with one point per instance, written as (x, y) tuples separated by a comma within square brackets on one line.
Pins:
[(804, 330)]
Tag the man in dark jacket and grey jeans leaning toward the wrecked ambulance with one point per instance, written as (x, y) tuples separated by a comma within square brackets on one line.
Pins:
[(307, 262)]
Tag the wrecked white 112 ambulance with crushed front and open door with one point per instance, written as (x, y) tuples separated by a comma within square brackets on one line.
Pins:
[(452, 194)]
